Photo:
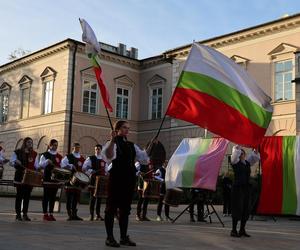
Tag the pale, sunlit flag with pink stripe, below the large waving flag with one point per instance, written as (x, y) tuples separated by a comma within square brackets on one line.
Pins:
[(196, 163)]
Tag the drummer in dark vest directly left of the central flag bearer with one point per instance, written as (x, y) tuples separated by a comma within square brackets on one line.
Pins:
[(94, 166)]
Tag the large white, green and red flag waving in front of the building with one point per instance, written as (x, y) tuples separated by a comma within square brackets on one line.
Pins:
[(216, 93)]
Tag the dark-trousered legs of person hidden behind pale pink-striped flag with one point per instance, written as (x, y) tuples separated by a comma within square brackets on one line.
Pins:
[(198, 198)]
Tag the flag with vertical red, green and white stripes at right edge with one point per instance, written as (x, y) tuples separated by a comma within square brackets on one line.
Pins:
[(280, 158)]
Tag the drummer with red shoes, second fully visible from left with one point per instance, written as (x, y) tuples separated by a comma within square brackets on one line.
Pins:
[(49, 160)]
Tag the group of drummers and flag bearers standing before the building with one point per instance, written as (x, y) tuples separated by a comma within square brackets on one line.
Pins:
[(121, 163)]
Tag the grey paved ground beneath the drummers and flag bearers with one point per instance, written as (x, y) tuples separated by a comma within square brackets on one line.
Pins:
[(182, 235)]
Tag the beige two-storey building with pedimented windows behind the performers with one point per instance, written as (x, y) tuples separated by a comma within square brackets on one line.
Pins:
[(52, 93)]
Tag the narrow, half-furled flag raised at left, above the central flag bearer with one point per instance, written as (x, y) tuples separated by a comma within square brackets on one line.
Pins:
[(92, 50)]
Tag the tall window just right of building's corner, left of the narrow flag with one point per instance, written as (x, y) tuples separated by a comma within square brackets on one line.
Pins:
[(89, 100)]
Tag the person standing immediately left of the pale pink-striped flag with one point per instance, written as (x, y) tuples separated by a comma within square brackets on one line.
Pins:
[(160, 175)]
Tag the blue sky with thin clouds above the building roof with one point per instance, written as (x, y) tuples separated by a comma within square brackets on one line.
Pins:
[(152, 26)]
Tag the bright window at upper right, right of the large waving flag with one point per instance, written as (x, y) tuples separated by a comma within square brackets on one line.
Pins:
[(284, 88)]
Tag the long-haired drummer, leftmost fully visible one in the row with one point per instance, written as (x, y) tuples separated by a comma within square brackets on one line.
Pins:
[(21, 159)]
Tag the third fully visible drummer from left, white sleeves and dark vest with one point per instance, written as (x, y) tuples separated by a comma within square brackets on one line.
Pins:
[(73, 162)]
